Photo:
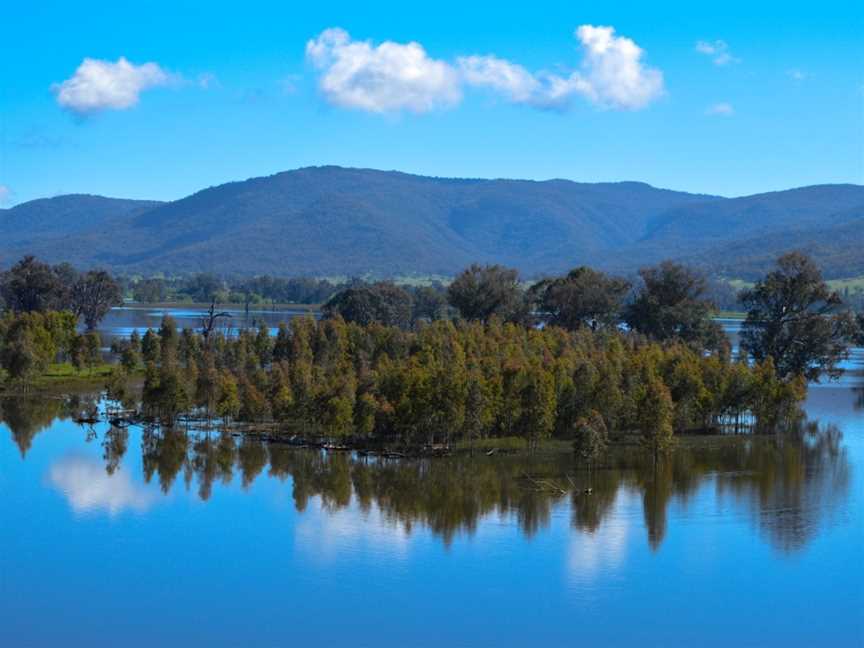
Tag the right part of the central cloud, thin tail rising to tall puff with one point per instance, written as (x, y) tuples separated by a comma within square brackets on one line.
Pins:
[(612, 75)]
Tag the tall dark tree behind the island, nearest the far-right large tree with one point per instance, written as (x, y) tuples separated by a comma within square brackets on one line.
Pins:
[(671, 305)]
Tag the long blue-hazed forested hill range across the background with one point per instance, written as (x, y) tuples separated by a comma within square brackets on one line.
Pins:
[(332, 220)]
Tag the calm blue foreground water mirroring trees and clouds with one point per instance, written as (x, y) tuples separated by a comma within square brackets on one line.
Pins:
[(113, 537)]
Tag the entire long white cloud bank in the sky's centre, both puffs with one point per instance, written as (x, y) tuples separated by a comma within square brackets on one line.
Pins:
[(393, 76)]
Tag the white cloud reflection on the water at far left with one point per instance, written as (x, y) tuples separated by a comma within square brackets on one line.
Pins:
[(87, 487)]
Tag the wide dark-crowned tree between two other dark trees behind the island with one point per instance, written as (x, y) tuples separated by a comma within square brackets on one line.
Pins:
[(584, 297)]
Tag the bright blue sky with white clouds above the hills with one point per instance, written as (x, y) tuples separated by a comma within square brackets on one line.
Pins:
[(730, 98)]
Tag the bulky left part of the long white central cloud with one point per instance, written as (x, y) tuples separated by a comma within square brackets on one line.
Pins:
[(381, 78)]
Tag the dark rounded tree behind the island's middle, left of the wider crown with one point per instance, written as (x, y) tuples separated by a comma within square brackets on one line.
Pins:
[(481, 292)]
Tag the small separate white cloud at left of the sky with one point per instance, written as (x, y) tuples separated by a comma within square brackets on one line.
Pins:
[(103, 85)]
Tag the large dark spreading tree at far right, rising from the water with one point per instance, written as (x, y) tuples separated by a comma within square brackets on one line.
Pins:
[(796, 320)]
